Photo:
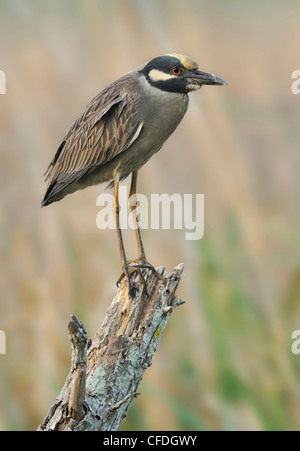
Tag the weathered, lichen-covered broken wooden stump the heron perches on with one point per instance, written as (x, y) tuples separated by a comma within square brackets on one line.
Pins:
[(104, 378)]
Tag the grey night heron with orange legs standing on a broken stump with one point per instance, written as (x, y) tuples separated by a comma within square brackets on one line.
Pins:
[(119, 131)]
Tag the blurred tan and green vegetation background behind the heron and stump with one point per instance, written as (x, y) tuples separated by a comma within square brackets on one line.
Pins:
[(225, 361)]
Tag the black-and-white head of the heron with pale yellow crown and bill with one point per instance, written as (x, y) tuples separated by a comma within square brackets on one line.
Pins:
[(178, 73)]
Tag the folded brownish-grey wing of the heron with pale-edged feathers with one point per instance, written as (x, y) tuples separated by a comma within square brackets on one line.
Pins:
[(106, 128)]
